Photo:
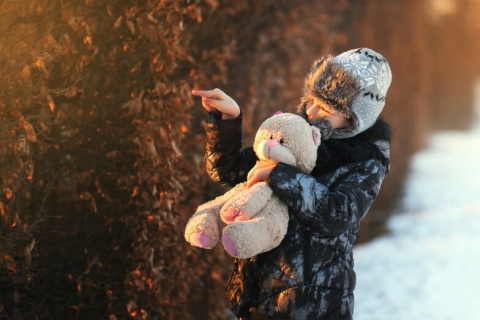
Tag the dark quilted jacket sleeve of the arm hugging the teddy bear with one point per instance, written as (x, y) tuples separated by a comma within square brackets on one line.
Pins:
[(331, 210)]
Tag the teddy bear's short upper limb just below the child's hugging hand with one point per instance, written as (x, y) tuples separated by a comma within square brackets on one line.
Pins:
[(246, 204)]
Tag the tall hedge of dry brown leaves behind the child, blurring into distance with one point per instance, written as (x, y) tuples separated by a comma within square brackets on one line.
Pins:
[(101, 143)]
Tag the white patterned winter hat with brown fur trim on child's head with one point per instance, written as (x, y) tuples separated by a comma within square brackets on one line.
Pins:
[(355, 83)]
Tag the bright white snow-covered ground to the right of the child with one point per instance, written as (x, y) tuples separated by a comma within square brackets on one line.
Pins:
[(428, 266)]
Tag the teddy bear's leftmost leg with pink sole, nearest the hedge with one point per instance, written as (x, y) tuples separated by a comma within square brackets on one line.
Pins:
[(202, 230)]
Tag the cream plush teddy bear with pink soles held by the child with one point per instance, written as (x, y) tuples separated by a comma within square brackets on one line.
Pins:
[(253, 220)]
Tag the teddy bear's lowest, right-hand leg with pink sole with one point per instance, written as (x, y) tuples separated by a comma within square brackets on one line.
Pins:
[(264, 232)]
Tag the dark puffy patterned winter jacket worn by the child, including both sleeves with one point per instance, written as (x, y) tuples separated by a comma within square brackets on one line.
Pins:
[(310, 274)]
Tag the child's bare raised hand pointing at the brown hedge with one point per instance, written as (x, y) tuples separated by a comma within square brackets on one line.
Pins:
[(217, 99)]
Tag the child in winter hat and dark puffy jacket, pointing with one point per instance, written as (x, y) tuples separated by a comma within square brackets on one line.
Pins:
[(310, 274)]
